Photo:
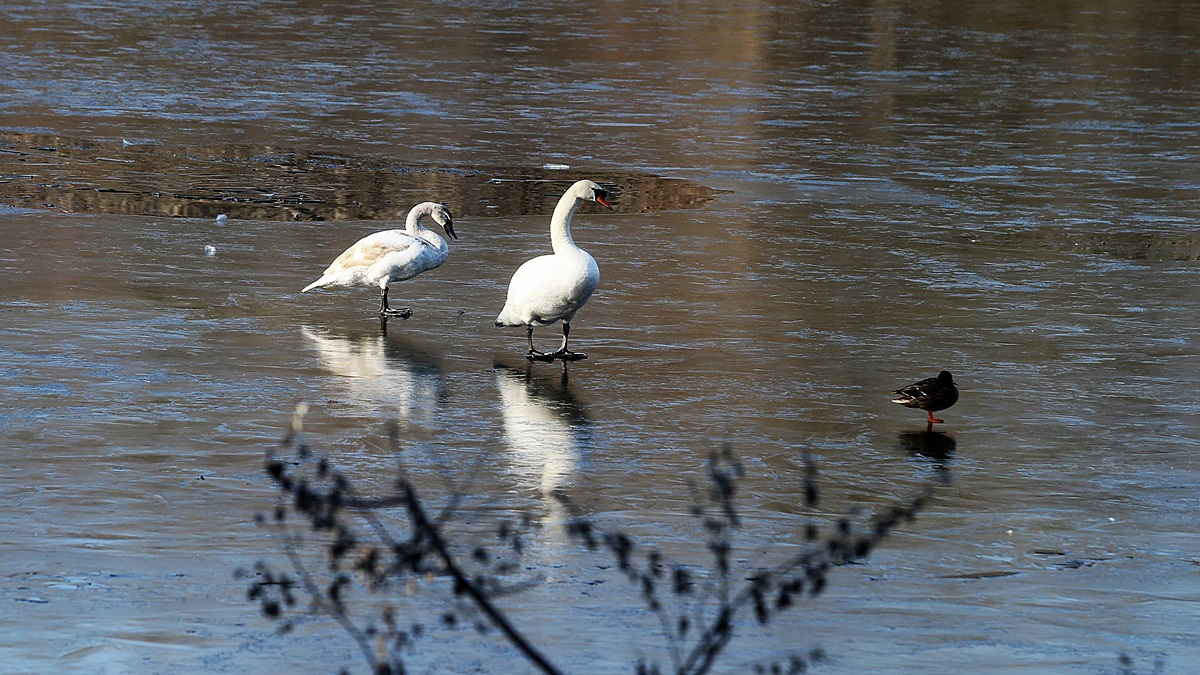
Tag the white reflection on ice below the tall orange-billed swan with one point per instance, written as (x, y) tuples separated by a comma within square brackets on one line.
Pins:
[(545, 428)]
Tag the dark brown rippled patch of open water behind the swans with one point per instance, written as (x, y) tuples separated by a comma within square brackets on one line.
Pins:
[(46, 171)]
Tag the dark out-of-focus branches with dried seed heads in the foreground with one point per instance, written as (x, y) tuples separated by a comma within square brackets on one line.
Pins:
[(699, 624)]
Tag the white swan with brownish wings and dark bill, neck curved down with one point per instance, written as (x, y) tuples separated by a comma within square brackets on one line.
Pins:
[(393, 255)]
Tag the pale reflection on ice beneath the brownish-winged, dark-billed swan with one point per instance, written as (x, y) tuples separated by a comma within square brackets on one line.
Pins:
[(383, 374)]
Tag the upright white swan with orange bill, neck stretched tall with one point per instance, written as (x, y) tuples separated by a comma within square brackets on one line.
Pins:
[(549, 289)]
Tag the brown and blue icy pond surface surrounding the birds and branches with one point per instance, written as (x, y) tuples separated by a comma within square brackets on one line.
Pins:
[(818, 204)]
